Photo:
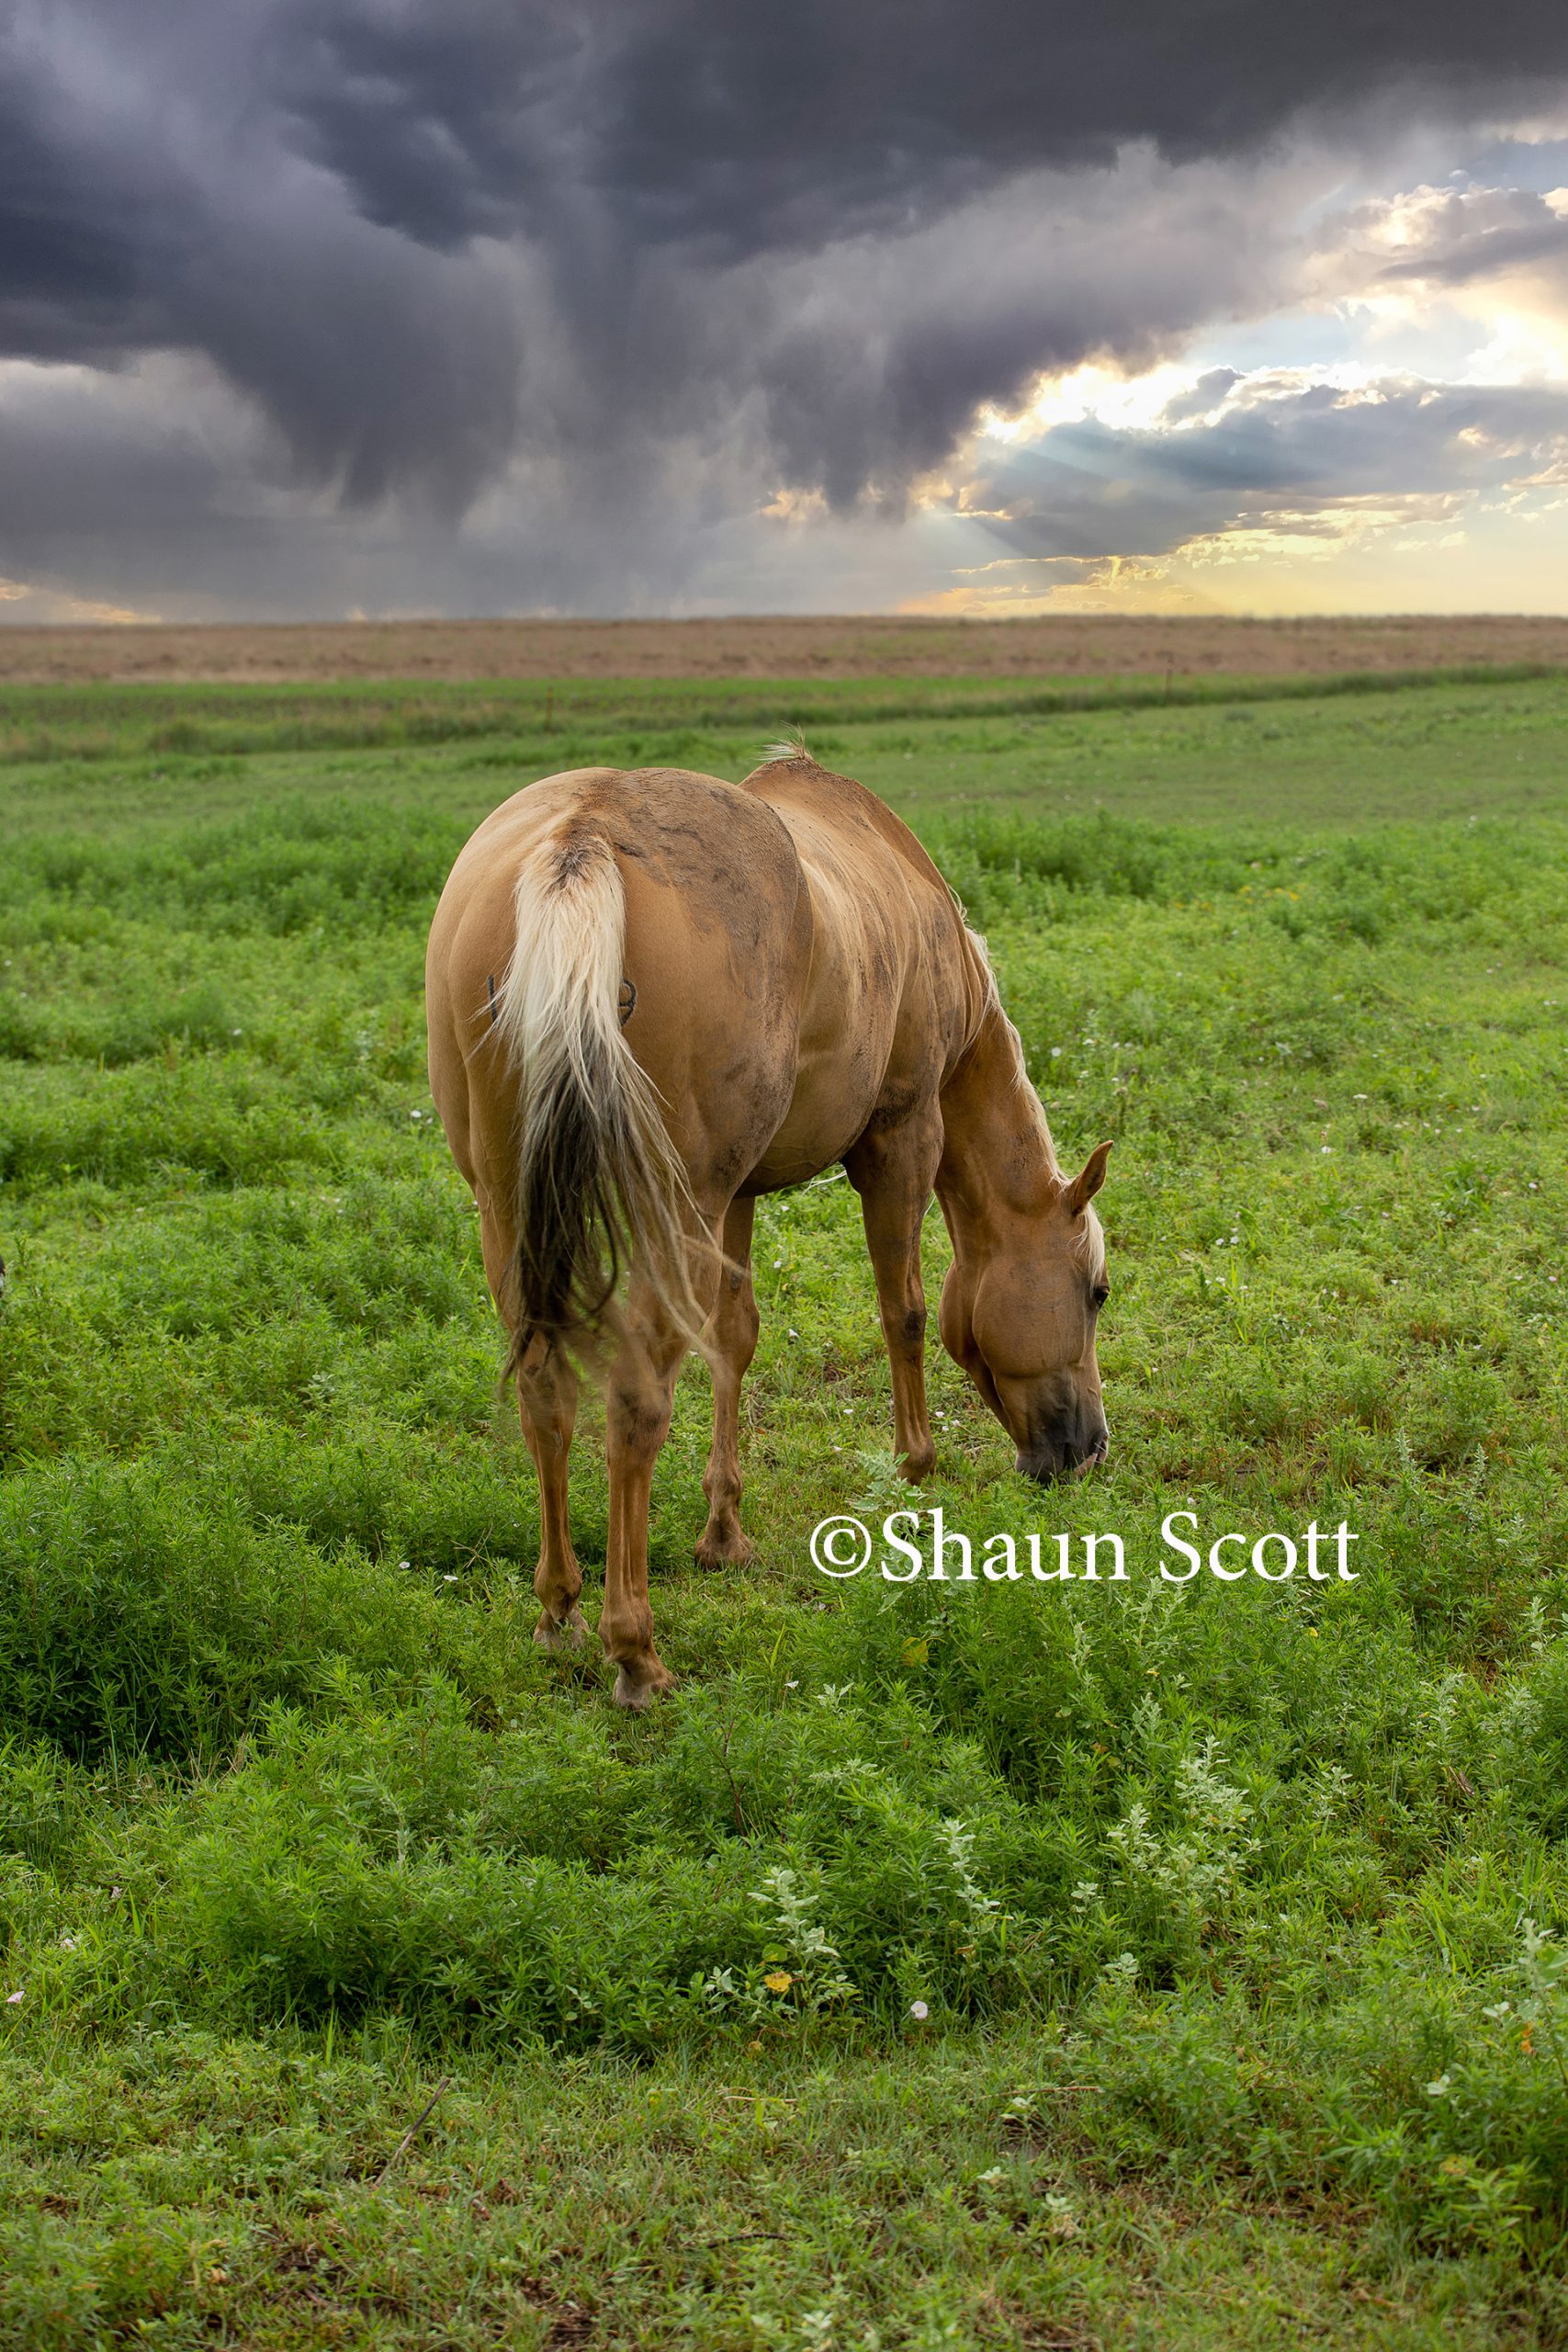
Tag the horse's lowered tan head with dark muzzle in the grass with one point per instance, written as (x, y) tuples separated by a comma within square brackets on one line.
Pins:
[(1021, 1316)]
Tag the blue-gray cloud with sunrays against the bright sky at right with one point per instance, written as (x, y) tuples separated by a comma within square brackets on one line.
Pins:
[(1278, 455)]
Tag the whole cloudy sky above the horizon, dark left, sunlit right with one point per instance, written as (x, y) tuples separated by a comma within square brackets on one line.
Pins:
[(478, 307)]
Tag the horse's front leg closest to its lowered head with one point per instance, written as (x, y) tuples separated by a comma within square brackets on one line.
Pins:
[(894, 1175)]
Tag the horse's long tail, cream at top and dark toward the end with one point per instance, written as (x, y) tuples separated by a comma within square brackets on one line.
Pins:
[(601, 1184)]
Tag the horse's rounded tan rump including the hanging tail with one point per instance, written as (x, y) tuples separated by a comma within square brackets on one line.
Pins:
[(615, 996)]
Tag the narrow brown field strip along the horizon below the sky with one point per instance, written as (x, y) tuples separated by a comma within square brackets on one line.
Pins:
[(1068, 646)]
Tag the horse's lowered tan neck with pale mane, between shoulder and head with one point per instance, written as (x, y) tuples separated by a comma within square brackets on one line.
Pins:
[(998, 1147)]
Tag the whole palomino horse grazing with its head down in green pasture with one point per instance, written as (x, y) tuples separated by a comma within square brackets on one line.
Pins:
[(655, 996)]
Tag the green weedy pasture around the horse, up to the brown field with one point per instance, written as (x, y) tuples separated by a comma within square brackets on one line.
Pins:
[(1167, 1965)]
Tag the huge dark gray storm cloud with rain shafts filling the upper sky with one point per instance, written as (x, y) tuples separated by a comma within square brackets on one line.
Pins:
[(424, 239)]
